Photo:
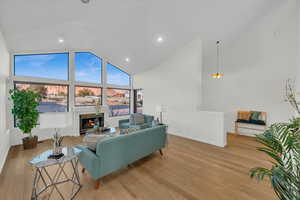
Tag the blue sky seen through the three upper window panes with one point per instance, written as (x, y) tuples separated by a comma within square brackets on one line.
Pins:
[(55, 66)]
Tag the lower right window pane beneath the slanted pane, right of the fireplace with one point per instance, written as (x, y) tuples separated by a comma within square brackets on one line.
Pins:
[(118, 101)]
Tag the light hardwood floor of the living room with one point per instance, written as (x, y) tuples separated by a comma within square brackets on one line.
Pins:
[(188, 170)]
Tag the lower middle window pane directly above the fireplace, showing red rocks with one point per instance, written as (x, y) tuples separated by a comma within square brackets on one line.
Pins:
[(87, 96)]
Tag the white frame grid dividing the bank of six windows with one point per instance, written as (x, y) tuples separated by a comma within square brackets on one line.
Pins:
[(70, 83)]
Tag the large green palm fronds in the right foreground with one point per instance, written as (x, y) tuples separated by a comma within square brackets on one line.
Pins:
[(281, 142)]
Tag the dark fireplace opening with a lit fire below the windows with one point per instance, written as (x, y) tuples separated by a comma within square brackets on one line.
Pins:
[(88, 121)]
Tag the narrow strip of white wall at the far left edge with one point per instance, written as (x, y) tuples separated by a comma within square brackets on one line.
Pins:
[(4, 135)]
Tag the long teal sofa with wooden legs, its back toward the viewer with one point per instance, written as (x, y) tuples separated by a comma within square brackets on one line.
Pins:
[(117, 152)]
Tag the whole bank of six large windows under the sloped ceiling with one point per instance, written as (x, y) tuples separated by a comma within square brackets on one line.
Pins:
[(48, 74)]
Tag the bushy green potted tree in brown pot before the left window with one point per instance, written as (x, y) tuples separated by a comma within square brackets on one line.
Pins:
[(25, 104)]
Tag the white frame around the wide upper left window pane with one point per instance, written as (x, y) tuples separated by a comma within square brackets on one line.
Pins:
[(42, 53)]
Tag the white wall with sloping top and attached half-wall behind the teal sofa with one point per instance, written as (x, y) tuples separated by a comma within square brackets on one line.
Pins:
[(176, 84)]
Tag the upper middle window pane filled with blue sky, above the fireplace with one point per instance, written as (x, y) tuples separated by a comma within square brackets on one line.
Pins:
[(88, 67)]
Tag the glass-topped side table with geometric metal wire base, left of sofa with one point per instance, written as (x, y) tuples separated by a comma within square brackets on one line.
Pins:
[(41, 163)]
